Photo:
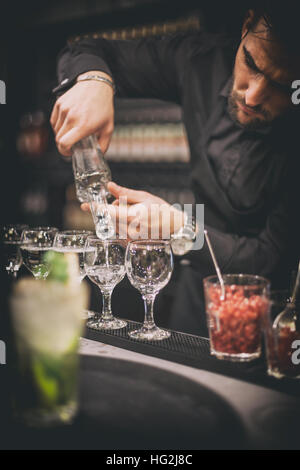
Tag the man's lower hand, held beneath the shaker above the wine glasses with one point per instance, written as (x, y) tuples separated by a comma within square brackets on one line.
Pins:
[(141, 214)]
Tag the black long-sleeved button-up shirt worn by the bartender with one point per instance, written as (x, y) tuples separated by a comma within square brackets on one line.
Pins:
[(247, 180)]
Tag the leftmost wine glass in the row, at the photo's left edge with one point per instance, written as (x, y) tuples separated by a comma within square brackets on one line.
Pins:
[(11, 240)]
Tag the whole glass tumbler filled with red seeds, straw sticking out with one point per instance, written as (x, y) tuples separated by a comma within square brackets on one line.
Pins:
[(235, 323)]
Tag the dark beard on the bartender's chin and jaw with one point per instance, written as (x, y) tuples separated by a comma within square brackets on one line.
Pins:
[(254, 124)]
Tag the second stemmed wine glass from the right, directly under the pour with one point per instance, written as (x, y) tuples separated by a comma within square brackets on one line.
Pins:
[(104, 262)]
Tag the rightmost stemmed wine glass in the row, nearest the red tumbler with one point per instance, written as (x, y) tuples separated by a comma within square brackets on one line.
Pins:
[(149, 265)]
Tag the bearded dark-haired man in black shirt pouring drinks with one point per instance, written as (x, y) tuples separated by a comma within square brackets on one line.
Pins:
[(242, 127)]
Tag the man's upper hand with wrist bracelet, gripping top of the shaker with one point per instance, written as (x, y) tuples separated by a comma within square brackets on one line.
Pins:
[(85, 109)]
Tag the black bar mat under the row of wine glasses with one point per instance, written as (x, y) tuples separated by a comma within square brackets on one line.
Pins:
[(194, 351)]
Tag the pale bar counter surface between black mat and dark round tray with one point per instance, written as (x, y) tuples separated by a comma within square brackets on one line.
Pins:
[(269, 417)]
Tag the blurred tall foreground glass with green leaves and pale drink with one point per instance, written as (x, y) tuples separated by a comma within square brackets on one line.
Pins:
[(47, 319)]
